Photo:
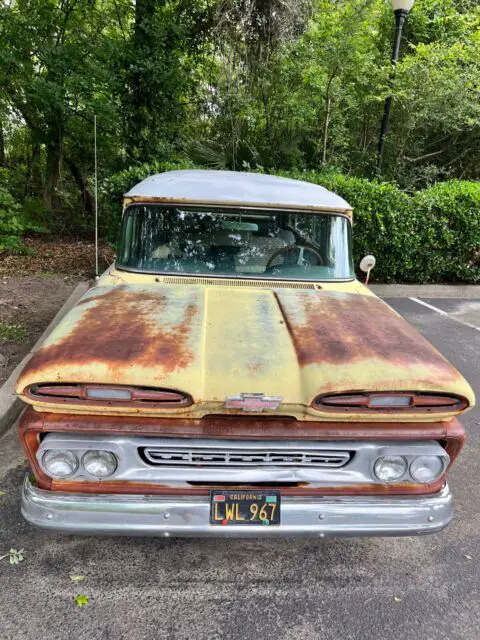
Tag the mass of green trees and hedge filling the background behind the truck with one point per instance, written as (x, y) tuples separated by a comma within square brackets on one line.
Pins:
[(263, 85)]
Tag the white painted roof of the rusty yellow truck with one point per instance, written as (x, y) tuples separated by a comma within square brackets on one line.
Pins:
[(236, 188)]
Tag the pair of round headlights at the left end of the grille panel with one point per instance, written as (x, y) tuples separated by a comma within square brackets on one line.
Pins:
[(63, 463)]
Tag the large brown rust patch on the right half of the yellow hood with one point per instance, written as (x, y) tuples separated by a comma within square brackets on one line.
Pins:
[(347, 328)]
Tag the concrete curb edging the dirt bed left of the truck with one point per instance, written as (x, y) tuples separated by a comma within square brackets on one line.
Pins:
[(10, 405)]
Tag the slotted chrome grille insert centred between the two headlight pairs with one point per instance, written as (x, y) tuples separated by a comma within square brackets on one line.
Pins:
[(227, 458)]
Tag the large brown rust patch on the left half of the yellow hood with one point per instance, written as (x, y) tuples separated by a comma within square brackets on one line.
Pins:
[(120, 329)]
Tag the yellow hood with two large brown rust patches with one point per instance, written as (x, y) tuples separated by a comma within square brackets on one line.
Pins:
[(213, 342)]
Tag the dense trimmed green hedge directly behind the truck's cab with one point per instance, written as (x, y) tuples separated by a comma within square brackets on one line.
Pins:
[(428, 236)]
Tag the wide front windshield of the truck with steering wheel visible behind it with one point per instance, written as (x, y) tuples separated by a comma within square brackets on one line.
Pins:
[(236, 242)]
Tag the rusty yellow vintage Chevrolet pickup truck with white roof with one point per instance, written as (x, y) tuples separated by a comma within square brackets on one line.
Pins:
[(229, 376)]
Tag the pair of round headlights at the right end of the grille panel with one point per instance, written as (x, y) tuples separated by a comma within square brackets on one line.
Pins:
[(422, 469)]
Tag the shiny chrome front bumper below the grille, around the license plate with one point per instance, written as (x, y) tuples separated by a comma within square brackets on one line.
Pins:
[(189, 515)]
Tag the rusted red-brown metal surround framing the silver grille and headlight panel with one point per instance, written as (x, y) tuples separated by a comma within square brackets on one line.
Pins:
[(451, 434)]
